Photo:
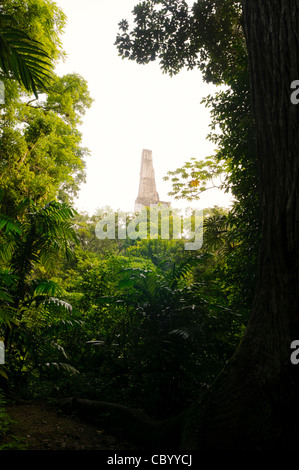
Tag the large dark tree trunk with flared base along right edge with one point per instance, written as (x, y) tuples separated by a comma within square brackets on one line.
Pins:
[(253, 402)]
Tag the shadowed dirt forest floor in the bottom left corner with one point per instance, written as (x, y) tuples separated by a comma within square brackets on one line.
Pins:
[(39, 426)]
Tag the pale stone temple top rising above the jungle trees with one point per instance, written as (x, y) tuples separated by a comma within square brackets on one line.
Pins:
[(147, 194)]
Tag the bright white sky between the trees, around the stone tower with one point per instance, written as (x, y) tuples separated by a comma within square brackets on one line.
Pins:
[(135, 107)]
